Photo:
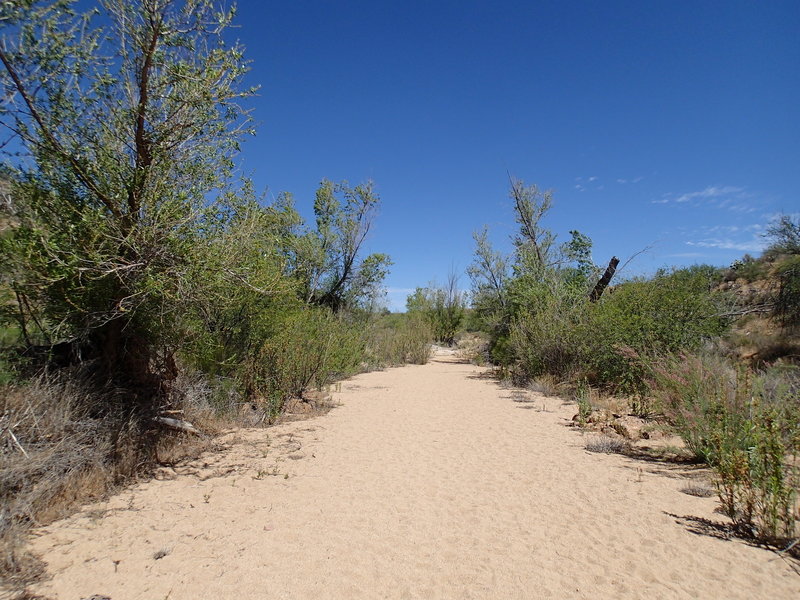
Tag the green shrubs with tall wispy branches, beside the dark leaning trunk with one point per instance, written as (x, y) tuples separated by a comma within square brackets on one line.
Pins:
[(541, 315)]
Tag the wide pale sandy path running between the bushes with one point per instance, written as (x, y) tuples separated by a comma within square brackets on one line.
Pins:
[(427, 482)]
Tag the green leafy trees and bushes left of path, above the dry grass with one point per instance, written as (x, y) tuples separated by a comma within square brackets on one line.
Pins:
[(130, 242)]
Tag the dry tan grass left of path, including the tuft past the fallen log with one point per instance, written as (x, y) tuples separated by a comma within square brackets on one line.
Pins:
[(63, 443)]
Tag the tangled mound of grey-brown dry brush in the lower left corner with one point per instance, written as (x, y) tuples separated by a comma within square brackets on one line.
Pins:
[(63, 442)]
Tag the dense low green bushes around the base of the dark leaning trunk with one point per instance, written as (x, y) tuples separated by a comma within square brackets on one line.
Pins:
[(559, 332)]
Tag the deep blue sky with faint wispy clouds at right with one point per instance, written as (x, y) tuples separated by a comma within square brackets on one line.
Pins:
[(672, 126)]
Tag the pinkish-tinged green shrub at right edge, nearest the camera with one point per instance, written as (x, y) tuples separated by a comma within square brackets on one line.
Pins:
[(746, 425)]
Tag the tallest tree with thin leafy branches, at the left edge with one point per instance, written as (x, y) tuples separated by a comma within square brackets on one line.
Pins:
[(132, 126)]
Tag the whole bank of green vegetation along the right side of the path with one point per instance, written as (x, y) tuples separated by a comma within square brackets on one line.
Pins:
[(709, 352)]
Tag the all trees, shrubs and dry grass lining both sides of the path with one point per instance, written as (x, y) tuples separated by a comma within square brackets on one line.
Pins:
[(147, 295)]
